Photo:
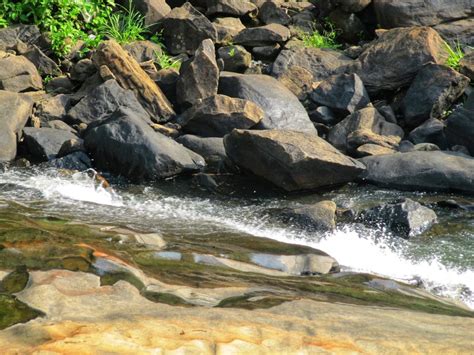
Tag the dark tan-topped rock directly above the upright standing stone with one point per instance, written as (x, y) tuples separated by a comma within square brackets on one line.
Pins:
[(184, 29)]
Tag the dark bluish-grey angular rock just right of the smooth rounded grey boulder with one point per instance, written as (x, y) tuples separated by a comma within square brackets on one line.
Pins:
[(344, 92)]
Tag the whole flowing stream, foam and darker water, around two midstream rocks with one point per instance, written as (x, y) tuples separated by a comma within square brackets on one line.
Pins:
[(441, 260)]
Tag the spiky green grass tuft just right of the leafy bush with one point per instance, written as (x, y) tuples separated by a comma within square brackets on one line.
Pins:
[(126, 25)]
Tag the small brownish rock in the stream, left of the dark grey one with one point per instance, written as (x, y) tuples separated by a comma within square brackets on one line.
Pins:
[(320, 216)]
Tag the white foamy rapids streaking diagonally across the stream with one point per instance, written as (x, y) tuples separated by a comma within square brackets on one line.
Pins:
[(356, 250)]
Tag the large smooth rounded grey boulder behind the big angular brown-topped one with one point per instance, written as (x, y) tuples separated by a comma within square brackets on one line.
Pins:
[(282, 109)]
